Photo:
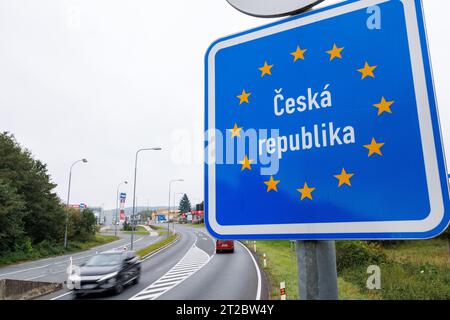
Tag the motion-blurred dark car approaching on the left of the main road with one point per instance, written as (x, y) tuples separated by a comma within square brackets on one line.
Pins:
[(107, 271)]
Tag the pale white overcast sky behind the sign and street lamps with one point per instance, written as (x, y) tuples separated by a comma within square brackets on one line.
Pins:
[(101, 78)]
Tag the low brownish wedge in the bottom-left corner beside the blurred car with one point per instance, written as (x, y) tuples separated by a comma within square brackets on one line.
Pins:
[(26, 290)]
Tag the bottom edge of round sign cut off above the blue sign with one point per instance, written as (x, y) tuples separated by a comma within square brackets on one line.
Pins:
[(272, 8)]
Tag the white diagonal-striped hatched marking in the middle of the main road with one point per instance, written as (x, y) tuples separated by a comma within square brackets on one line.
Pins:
[(193, 260)]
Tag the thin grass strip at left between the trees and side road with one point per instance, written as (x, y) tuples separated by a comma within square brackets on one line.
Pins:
[(46, 249)]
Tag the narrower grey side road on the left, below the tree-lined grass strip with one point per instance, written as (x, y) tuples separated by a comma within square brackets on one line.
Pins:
[(54, 269)]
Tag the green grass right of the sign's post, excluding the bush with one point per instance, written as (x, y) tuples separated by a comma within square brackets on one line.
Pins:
[(414, 270)]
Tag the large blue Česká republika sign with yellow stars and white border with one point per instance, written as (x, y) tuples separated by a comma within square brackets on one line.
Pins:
[(325, 126)]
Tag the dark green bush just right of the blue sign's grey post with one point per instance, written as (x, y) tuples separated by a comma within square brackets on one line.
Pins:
[(352, 254)]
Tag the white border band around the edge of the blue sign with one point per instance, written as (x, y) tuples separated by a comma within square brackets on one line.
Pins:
[(436, 214)]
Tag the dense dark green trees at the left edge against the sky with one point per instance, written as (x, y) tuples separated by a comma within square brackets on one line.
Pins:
[(30, 211)]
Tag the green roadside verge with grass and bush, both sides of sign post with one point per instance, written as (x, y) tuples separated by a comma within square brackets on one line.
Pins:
[(416, 270)]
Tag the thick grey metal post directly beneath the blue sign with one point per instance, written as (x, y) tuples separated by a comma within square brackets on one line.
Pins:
[(317, 275)]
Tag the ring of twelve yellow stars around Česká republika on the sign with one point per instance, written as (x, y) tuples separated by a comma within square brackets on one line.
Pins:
[(344, 177)]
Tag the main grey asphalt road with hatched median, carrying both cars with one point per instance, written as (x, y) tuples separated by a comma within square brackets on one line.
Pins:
[(190, 269)]
